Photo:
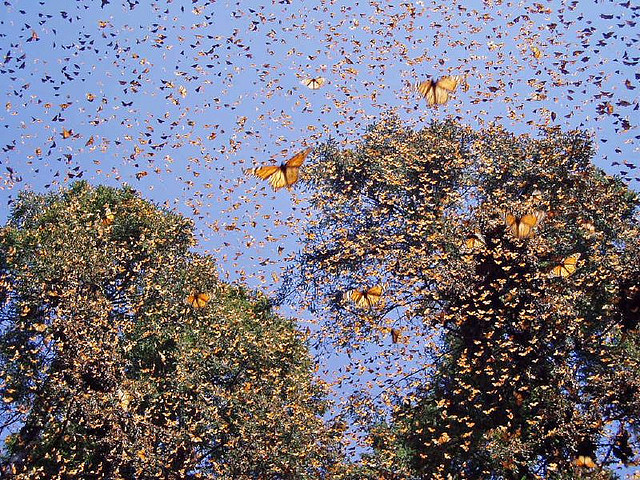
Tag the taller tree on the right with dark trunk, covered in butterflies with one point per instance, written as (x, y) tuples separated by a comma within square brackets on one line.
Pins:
[(521, 260)]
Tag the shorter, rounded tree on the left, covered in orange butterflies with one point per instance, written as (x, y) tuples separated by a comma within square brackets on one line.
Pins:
[(124, 356)]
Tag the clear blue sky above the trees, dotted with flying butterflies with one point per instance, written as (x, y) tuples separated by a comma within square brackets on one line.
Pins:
[(179, 98)]
